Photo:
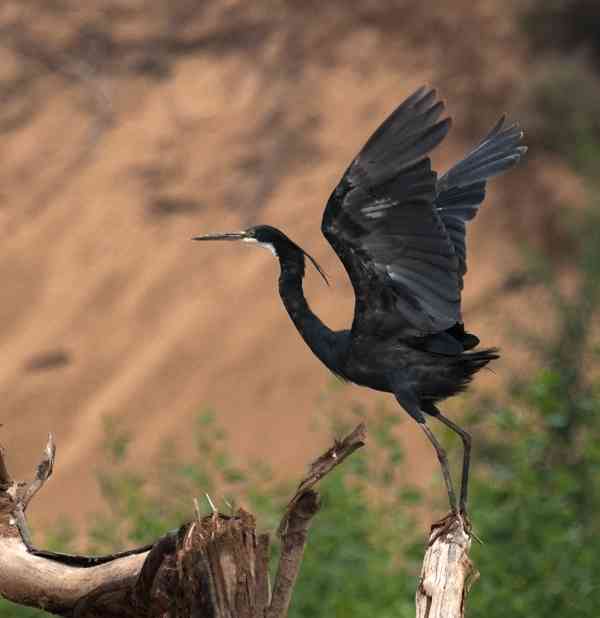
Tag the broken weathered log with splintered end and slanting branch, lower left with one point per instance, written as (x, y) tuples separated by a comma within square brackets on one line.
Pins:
[(214, 566)]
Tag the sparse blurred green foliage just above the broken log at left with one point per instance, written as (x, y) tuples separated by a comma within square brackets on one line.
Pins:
[(141, 507)]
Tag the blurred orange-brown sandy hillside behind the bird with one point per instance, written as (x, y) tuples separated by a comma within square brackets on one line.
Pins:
[(127, 128)]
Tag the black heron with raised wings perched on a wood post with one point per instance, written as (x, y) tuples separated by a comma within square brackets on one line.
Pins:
[(400, 233)]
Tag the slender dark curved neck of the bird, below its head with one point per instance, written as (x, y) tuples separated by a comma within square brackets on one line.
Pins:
[(319, 338)]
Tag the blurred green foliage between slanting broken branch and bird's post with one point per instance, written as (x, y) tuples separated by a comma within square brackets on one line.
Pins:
[(348, 570)]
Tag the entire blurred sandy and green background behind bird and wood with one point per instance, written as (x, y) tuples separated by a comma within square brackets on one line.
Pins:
[(165, 369)]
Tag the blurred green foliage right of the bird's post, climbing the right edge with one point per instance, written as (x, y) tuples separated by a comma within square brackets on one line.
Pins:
[(536, 492)]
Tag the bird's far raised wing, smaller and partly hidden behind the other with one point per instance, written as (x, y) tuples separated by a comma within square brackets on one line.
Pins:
[(461, 190)]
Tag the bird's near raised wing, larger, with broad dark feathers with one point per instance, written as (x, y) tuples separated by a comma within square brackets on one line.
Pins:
[(382, 222)]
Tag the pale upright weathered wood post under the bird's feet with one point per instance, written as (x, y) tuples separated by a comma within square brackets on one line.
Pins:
[(447, 573)]
